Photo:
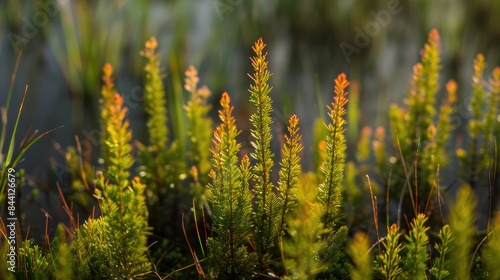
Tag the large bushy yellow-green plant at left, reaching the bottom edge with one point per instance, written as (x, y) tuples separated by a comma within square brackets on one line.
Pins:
[(119, 237)]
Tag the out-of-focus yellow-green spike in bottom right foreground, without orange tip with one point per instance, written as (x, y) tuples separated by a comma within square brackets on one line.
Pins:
[(462, 222)]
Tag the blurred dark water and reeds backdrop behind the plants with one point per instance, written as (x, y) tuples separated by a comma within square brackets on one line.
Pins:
[(65, 43)]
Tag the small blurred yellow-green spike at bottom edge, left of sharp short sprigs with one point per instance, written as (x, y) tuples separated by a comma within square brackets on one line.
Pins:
[(358, 249)]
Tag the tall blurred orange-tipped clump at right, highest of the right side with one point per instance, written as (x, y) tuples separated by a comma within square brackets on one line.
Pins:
[(418, 139)]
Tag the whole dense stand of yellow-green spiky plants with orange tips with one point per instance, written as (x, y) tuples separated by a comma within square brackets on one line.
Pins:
[(257, 215)]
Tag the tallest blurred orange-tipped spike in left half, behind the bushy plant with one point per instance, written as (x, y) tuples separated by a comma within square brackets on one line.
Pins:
[(162, 166)]
